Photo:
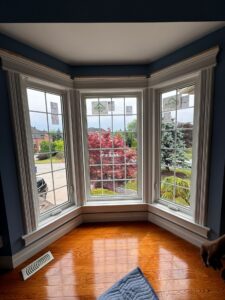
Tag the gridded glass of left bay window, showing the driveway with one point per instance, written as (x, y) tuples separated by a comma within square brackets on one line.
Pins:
[(46, 122)]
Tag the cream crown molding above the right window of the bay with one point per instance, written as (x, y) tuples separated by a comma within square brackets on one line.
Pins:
[(185, 68)]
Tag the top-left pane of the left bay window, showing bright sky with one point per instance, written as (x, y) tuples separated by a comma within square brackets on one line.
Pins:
[(36, 100)]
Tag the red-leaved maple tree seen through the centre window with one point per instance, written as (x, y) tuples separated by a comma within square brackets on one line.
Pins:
[(103, 148)]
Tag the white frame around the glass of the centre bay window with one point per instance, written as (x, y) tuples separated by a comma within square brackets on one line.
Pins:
[(120, 198)]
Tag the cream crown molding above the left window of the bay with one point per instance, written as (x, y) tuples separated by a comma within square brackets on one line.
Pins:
[(18, 64)]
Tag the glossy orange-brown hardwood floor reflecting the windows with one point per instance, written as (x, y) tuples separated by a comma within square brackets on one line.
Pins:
[(92, 257)]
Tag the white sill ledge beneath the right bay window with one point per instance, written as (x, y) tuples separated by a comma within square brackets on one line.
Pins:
[(178, 218)]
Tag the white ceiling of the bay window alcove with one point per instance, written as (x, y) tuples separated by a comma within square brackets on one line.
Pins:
[(108, 43)]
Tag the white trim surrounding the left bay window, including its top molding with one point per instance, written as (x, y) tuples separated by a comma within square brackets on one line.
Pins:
[(22, 73)]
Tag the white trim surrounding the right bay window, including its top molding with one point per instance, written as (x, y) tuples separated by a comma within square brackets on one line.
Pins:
[(201, 67)]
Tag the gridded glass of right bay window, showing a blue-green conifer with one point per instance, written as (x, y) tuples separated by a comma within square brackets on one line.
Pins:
[(177, 127)]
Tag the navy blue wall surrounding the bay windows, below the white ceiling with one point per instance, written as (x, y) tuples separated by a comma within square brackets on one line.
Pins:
[(10, 207)]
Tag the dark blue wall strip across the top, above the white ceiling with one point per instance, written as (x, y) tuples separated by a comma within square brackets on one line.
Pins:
[(111, 11)]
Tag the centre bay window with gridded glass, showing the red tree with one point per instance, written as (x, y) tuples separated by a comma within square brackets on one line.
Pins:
[(112, 142)]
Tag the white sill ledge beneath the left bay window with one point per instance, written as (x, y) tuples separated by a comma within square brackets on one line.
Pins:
[(51, 224)]
